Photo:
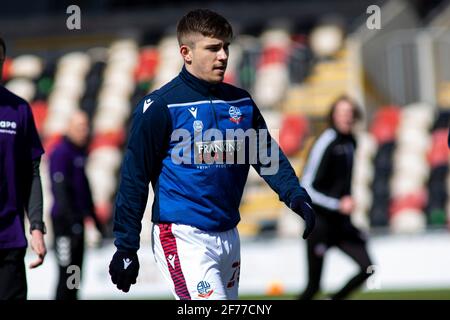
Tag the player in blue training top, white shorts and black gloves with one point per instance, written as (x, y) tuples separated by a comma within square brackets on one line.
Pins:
[(196, 207)]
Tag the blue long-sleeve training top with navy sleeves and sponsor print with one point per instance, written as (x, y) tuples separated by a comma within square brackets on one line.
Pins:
[(177, 132)]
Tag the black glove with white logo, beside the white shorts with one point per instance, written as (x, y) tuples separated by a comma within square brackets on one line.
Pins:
[(124, 269)]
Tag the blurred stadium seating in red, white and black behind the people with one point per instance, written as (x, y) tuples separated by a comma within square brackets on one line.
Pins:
[(292, 82)]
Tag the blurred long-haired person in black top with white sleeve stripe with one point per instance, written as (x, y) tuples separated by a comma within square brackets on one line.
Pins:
[(327, 178)]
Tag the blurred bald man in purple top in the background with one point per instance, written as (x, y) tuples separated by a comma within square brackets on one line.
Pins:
[(73, 203)]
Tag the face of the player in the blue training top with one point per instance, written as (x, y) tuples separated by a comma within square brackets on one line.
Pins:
[(206, 57)]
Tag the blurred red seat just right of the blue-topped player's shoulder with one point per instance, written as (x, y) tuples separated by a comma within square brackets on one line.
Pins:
[(293, 130)]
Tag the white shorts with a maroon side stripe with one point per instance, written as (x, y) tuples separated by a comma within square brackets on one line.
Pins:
[(198, 264)]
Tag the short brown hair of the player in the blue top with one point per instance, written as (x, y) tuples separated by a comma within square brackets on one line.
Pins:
[(203, 21)]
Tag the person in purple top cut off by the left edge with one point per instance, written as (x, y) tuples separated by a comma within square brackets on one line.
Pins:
[(20, 191)]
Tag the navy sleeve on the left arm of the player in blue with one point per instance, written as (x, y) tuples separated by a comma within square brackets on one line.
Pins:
[(147, 145)]
